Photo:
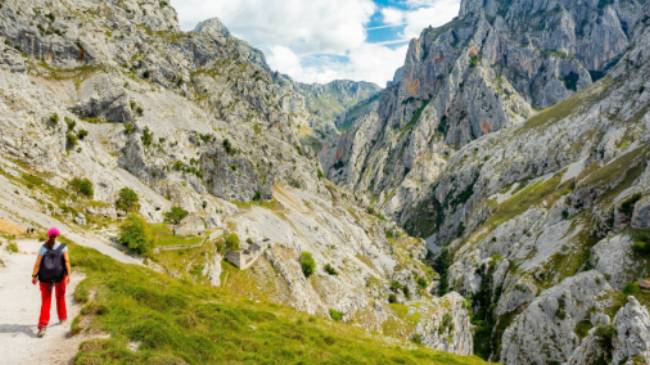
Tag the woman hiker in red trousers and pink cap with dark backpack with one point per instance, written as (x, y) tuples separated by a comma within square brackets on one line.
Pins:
[(52, 271)]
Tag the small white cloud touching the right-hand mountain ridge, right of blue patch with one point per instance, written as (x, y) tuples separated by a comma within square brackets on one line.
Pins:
[(429, 13)]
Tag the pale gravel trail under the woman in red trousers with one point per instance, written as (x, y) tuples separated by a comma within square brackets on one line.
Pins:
[(19, 308)]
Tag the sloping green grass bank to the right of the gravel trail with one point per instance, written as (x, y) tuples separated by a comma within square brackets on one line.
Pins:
[(179, 321)]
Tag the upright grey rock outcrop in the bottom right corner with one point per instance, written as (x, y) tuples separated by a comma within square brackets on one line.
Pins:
[(631, 342)]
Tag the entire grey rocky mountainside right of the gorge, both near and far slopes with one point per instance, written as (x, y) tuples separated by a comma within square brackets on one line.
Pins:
[(539, 217)]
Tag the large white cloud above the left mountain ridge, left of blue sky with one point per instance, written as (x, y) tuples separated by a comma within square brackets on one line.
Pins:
[(315, 26)]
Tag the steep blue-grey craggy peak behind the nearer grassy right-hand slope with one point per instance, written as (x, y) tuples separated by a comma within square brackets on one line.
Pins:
[(491, 67)]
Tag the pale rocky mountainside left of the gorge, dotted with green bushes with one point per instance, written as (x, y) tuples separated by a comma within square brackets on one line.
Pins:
[(99, 96)]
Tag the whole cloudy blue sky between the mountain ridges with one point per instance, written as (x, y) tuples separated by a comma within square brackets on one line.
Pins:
[(323, 40)]
